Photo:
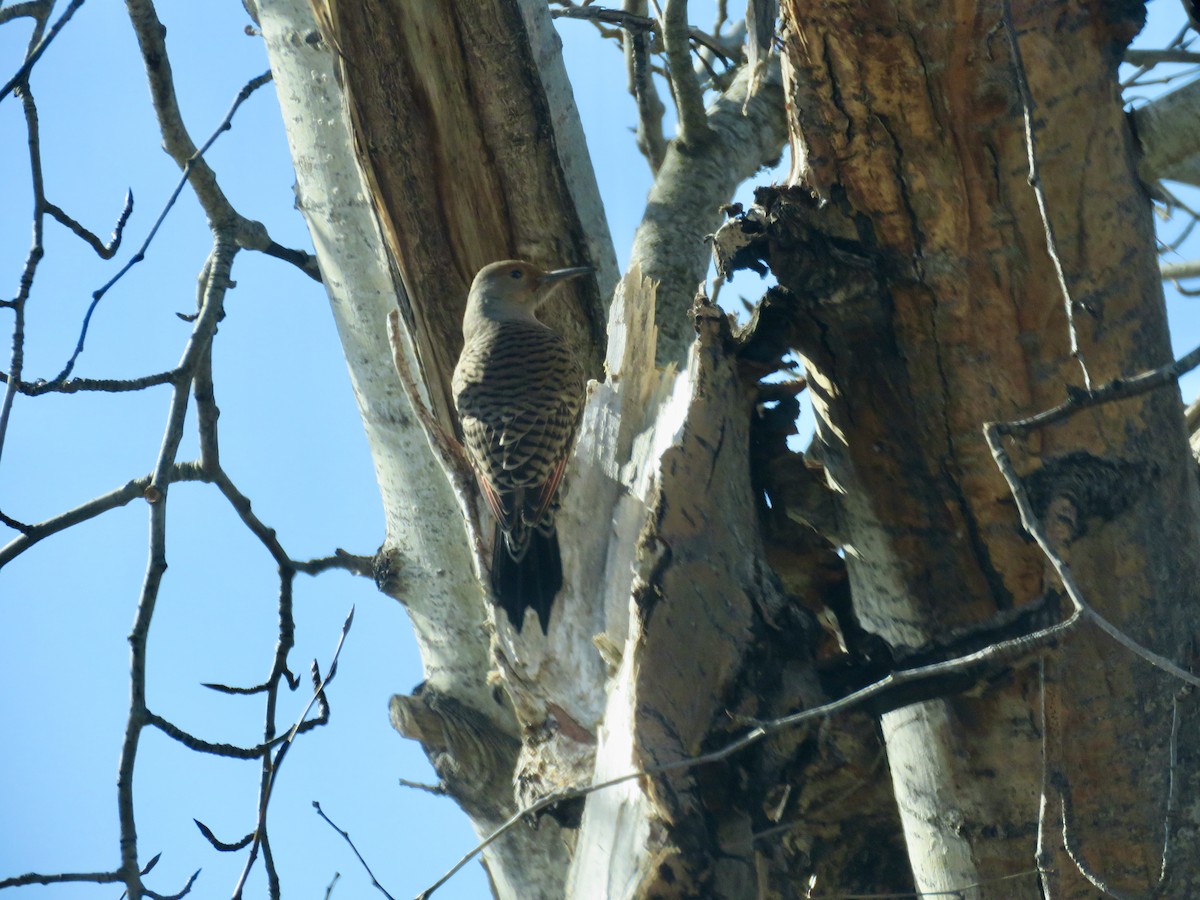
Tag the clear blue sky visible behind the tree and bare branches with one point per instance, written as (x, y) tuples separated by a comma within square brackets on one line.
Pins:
[(291, 439)]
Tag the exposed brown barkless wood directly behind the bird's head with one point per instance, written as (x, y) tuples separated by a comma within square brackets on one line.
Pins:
[(457, 140)]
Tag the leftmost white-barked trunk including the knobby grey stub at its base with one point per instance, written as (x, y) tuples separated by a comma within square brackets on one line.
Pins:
[(434, 568)]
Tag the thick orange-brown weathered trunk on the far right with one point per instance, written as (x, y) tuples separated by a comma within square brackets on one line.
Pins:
[(933, 308)]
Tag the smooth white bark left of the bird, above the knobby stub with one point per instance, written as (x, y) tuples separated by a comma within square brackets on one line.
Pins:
[(424, 526)]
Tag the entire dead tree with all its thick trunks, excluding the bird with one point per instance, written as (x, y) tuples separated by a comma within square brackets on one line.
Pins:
[(919, 287)]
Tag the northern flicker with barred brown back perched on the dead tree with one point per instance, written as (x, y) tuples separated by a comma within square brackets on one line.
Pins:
[(519, 392)]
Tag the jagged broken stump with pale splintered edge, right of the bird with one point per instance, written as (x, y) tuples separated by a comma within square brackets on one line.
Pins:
[(715, 640)]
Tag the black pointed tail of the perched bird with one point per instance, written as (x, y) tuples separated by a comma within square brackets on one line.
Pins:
[(530, 579)]
